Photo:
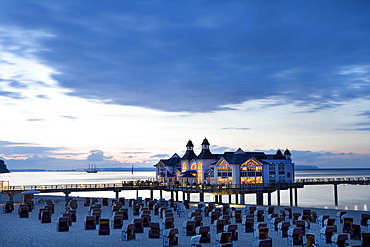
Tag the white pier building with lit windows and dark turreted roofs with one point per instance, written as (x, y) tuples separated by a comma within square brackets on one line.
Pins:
[(232, 168)]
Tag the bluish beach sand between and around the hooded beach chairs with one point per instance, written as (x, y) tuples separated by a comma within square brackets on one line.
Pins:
[(15, 231)]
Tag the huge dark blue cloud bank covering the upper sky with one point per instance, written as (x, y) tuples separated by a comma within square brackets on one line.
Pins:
[(198, 57)]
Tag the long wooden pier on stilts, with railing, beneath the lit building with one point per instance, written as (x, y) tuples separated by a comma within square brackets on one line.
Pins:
[(216, 190)]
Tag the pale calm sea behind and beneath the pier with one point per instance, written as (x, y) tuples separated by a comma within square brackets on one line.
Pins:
[(350, 197)]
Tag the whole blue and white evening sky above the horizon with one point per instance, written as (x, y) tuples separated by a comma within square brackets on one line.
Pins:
[(126, 83)]
